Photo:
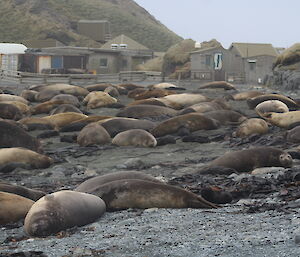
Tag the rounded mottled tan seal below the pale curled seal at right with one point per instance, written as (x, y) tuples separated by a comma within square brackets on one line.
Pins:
[(252, 126)]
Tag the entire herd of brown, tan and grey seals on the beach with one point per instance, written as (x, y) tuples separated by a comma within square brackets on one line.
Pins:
[(152, 116)]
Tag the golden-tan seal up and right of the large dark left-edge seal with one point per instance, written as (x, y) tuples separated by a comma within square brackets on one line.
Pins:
[(62, 119)]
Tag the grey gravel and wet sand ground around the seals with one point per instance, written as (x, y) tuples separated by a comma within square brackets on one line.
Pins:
[(227, 231)]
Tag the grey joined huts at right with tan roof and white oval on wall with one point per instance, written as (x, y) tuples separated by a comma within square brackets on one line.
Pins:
[(241, 63)]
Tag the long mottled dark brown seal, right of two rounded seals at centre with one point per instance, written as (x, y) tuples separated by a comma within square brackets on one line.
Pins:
[(192, 121)]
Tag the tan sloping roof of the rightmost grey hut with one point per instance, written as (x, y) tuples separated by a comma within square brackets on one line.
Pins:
[(254, 49)]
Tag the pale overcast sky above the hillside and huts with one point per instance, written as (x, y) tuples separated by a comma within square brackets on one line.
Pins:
[(250, 21)]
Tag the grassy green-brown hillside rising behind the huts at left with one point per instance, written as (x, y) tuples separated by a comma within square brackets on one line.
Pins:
[(22, 20)]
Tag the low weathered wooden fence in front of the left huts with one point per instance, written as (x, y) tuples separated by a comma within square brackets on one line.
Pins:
[(39, 78)]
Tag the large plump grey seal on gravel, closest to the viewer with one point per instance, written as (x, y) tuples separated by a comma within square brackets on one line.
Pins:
[(61, 210)]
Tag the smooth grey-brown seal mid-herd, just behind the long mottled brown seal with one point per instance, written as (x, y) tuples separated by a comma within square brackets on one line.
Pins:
[(146, 111)]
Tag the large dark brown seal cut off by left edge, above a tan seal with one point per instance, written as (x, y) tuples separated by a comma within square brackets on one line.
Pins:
[(14, 136)]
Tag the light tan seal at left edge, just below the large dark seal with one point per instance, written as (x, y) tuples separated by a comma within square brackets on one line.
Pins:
[(24, 156)]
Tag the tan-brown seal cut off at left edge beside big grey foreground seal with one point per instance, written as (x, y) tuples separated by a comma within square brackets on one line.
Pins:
[(13, 207)]
